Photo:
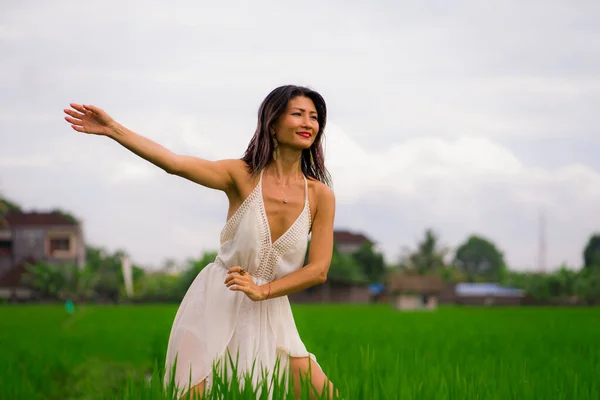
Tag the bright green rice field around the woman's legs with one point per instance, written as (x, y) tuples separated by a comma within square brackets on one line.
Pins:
[(369, 352)]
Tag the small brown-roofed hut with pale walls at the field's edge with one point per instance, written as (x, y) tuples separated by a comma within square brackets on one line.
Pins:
[(414, 292)]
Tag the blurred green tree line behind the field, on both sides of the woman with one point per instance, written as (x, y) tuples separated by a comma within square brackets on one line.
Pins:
[(477, 259)]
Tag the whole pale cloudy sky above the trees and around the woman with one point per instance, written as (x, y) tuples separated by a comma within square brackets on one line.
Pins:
[(463, 116)]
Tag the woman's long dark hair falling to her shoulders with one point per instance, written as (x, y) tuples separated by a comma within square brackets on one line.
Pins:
[(259, 153)]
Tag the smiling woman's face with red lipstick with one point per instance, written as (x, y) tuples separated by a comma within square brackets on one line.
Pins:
[(298, 126)]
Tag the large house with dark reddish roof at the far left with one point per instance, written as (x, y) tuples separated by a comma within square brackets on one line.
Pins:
[(30, 237)]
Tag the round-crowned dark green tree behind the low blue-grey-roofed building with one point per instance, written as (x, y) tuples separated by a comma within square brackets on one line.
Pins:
[(479, 258)]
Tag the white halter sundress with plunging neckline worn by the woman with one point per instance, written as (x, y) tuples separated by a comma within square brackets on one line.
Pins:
[(212, 319)]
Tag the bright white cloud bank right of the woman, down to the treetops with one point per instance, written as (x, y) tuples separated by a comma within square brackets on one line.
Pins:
[(465, 186)]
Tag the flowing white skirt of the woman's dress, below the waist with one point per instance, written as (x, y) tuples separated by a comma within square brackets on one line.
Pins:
[(213, 321)]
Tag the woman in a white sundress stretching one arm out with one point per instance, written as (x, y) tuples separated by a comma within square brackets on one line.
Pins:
[(278, 193)]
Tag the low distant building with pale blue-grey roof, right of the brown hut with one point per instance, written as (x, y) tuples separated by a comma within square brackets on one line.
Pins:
[(487, 294)]
